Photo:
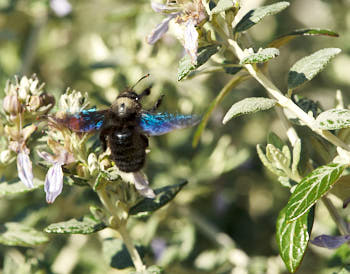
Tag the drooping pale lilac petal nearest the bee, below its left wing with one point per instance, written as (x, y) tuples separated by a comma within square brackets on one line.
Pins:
[(53, 182)]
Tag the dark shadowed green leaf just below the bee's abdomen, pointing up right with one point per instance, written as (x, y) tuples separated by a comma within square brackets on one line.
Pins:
[(163, 196)]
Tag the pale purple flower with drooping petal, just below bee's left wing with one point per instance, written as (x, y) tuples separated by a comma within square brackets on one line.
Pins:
[(54, 177)]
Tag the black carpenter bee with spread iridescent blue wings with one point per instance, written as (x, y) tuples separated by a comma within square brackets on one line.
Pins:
[(126, 126)]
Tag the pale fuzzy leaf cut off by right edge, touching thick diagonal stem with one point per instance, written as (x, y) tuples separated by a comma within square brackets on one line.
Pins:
[(333, 119)]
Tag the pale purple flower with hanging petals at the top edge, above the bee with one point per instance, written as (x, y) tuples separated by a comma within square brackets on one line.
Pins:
[(188, 14)]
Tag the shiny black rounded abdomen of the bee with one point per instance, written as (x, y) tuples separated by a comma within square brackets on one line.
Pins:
[(128, 150)]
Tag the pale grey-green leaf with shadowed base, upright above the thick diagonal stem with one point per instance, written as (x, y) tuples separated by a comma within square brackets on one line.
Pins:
[(308, 67)]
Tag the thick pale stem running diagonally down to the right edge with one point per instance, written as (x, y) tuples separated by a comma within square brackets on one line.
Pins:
[(285, 101)]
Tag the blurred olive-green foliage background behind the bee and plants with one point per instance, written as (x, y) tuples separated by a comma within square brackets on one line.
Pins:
[(223, 221)]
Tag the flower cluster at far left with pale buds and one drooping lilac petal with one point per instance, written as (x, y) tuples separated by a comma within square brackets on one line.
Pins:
[(25, 100)]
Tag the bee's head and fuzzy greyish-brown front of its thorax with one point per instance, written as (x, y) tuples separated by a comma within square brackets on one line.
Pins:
[(127, 104)]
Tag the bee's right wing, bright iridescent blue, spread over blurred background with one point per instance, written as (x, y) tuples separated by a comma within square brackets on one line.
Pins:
[(161, 123)]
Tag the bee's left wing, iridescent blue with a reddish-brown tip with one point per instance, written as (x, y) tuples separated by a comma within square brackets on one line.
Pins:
[(88, 120)]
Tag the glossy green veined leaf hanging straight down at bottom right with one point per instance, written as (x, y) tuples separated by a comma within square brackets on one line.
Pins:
[(292, 238)]
